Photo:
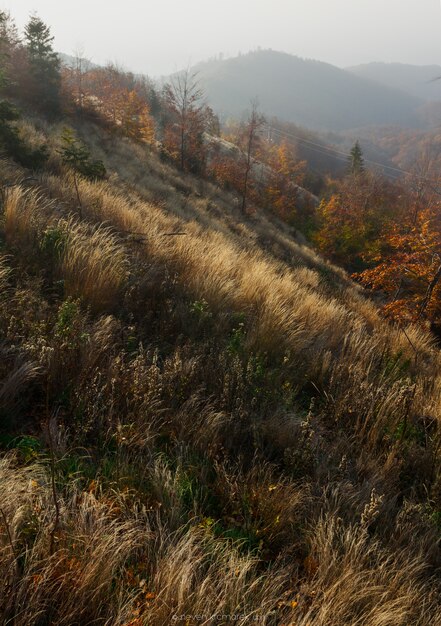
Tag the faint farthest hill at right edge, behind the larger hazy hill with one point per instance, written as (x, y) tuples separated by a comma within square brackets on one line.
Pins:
[(416, 80)]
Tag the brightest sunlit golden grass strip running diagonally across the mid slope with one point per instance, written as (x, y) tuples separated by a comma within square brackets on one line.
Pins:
[(286, 311)]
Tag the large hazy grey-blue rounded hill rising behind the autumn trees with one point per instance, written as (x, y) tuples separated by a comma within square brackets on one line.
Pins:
[(308, 93)]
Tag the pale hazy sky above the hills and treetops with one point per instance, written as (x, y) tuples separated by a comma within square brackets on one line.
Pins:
[(160, 36)]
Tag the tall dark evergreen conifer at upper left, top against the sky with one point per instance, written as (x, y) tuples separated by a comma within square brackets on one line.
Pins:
[(44, 66)]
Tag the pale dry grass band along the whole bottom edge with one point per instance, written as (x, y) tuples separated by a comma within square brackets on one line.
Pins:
[(109, 565)]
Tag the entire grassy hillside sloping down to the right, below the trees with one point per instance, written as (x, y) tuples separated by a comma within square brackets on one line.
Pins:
[(201, 420)]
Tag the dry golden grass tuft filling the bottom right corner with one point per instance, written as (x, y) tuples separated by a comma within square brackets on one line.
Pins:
[(352, 579)]
